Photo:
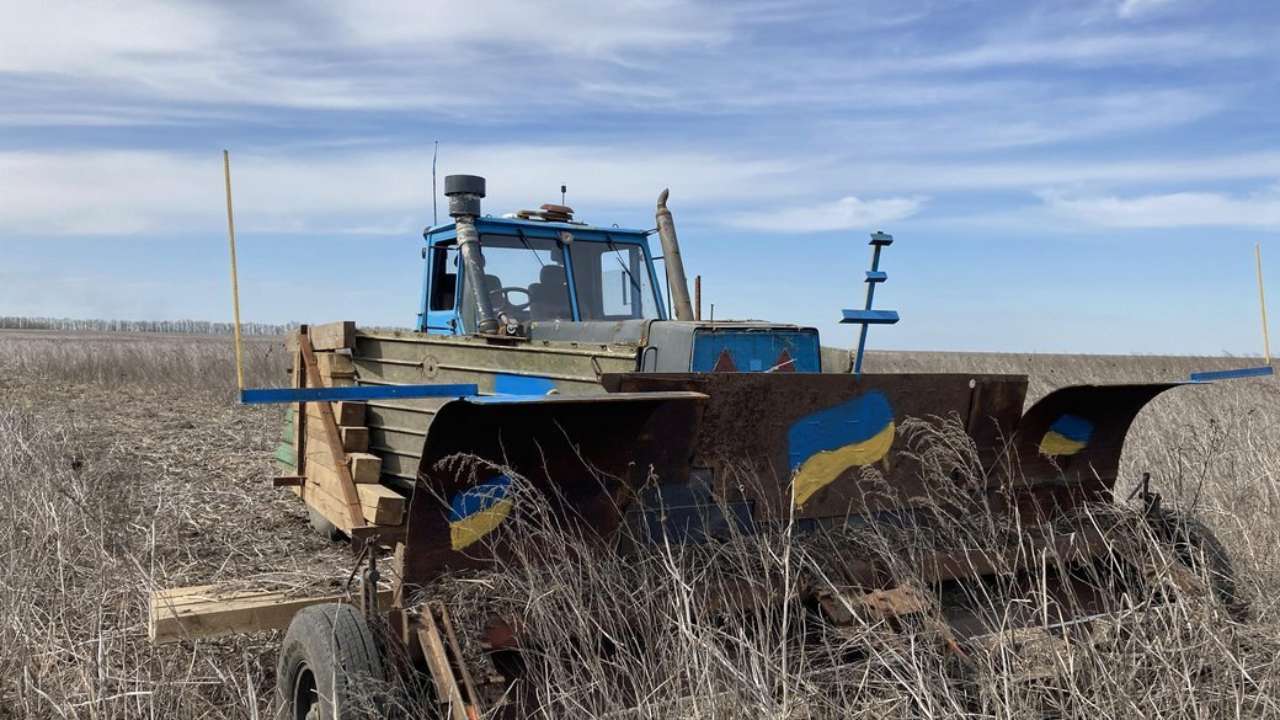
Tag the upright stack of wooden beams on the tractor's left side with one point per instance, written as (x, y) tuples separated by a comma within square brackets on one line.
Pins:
[(322, 485)]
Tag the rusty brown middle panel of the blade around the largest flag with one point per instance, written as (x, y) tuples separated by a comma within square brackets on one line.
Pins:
[(744, 432)]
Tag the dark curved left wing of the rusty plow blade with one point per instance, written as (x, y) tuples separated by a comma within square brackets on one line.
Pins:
[(586, 455)]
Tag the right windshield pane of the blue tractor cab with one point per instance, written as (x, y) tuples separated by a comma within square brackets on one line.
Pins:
[(612, 282)]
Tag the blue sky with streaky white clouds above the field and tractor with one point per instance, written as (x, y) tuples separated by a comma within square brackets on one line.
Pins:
[(1080, 177)]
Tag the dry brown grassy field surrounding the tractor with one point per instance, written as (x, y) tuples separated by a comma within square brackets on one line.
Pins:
[(127, 467)]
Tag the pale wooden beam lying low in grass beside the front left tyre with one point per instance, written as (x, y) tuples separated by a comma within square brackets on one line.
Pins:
[(203, 612)]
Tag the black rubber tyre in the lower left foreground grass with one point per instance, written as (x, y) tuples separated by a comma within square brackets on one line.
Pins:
[(331, 667)]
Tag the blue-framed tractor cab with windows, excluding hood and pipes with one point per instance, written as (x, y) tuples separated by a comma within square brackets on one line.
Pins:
[(537, 271)]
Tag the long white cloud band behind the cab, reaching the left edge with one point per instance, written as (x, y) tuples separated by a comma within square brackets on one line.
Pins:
[(129, 193)]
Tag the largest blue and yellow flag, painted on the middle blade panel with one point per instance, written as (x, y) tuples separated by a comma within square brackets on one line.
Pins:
[(825, 444)]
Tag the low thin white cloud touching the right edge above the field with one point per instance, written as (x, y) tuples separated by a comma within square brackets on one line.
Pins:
[(1172, 211)]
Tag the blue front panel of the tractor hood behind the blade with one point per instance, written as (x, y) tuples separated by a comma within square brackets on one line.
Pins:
[(757, 350)]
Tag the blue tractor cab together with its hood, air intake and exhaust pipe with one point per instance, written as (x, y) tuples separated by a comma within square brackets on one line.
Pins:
[(543, 277)]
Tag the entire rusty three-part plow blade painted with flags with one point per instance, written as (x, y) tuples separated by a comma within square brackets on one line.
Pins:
[(735, 443)]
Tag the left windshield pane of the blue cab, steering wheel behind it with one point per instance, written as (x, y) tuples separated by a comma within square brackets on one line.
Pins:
[(525, 280)]
